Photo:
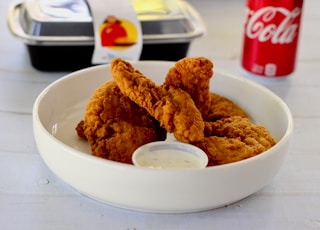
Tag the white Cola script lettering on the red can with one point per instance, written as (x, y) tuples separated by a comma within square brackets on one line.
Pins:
[(260, 25)]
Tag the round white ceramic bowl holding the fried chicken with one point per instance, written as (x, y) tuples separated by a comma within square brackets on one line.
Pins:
[(61, 106)]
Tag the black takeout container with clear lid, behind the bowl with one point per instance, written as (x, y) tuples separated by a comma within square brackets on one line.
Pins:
[(58, 43)]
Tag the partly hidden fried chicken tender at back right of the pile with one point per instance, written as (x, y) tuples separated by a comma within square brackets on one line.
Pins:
[(222, 107)]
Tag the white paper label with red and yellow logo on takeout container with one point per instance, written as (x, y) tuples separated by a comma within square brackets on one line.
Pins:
[(117, 31)]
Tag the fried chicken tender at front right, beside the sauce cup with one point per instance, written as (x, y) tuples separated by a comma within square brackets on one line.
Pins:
[(233, 139)]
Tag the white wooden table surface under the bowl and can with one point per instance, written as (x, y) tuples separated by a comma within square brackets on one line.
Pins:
[(32, 197)]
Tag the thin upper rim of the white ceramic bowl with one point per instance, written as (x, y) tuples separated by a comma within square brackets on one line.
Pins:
[(110, 163)]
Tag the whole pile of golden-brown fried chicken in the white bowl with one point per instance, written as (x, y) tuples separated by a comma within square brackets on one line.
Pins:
[(128, 112)]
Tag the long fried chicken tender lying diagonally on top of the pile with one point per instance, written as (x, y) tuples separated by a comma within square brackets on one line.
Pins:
[(172, 107)]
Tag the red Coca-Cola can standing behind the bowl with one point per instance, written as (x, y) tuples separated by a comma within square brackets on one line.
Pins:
[(271, 34)]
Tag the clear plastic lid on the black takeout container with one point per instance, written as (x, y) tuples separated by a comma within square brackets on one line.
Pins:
[(70, 21)]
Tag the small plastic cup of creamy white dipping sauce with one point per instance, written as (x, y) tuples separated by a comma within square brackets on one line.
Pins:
[(169, 155)]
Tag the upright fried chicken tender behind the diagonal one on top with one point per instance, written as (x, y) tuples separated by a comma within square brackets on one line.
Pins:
[(193, 76)]
